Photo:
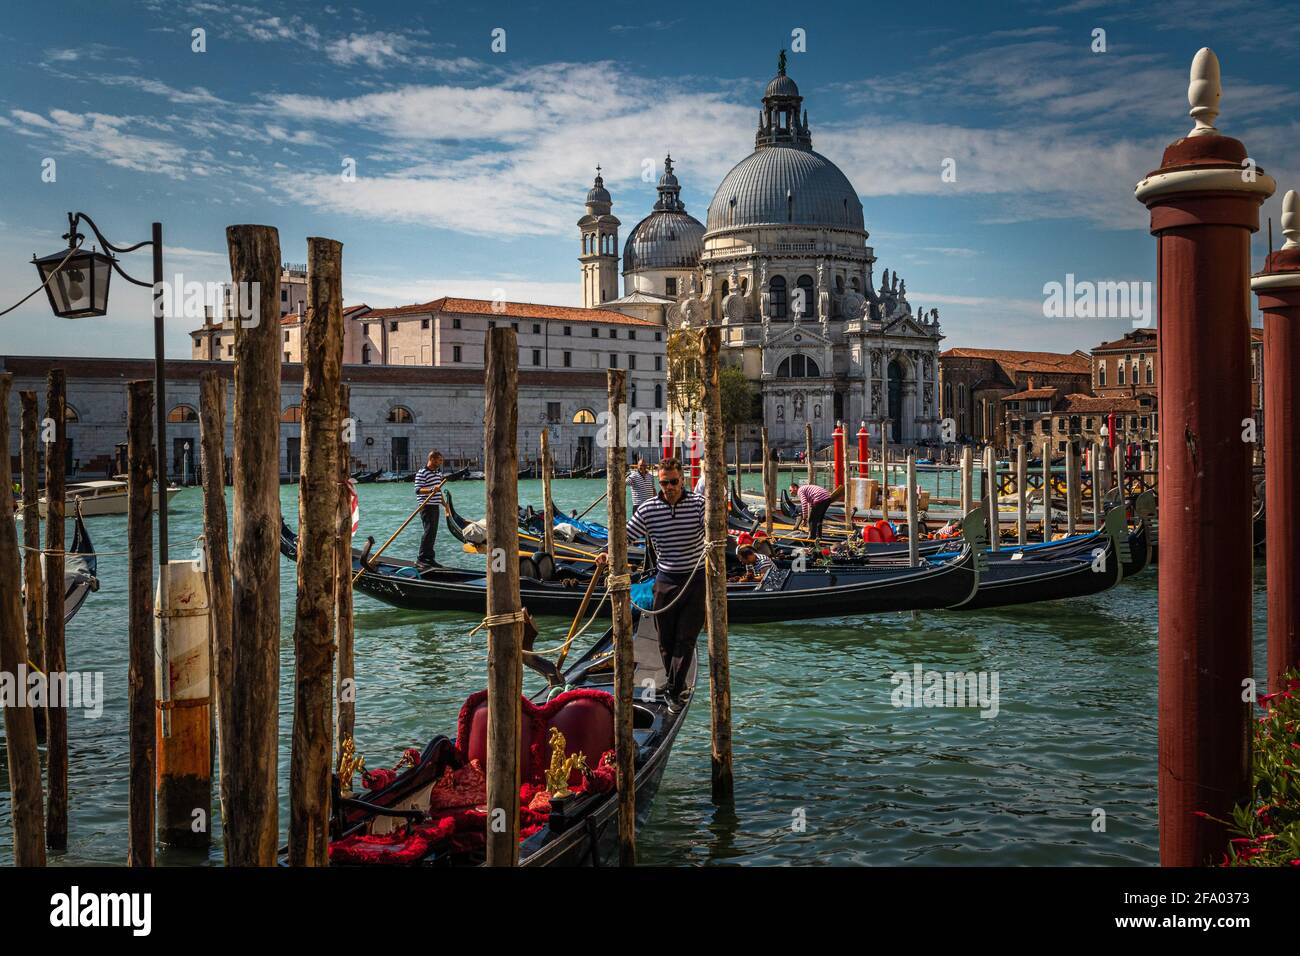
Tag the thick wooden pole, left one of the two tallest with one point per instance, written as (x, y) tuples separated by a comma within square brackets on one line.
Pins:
[(254, 811)]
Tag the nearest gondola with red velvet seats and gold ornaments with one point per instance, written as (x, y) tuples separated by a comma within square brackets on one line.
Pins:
[(380, 827)]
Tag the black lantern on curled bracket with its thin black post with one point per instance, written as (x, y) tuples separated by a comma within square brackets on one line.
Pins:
[(77, 285)]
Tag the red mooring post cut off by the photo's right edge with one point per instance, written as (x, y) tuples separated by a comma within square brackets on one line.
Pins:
[(1279, 291)]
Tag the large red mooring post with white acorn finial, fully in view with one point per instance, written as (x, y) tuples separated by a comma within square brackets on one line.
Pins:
[(1204, 202)]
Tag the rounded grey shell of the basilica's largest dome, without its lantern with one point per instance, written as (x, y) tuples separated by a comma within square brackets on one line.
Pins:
[(783, 184)]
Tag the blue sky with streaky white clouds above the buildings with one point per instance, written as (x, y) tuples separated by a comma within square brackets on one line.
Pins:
[(471, 165)]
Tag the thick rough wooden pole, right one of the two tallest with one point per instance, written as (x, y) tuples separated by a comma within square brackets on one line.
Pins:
[(318, 548)]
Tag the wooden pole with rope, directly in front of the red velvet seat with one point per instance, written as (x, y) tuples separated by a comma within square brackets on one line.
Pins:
[(505, 618)]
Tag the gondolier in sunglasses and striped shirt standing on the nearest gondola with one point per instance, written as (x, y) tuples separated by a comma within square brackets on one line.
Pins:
[(674, 521)]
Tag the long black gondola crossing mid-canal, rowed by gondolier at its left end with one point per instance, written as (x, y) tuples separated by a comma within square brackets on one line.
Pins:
[(548, 587)]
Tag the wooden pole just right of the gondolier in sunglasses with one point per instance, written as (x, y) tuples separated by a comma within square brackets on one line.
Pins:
[(716, 568)]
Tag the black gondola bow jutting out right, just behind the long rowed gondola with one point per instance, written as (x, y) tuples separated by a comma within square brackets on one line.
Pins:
[(1008, 583)]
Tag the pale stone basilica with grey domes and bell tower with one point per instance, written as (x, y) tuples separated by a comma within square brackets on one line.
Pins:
[(783, 265)]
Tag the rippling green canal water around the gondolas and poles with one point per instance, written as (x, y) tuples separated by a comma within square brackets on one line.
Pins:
[(827, 769)]
